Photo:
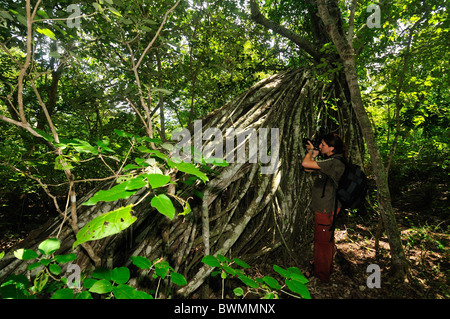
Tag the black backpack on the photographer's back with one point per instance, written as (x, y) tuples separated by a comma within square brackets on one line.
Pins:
[(352, 187)]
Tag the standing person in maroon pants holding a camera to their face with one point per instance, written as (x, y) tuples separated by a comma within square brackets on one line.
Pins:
[(327, 173)]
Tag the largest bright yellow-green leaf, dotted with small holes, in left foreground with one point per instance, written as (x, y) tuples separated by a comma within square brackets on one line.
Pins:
[(106, 225)]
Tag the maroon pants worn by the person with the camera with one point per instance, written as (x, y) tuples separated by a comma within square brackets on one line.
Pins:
[(323, 245)]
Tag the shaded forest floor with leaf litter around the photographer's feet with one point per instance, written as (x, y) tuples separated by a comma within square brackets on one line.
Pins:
[(422, 212)]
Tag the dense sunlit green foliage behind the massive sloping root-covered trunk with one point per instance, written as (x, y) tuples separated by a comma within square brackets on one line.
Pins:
[(93, 67)]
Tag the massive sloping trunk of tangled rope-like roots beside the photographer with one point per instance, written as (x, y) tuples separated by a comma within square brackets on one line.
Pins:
[(247, 213)]
